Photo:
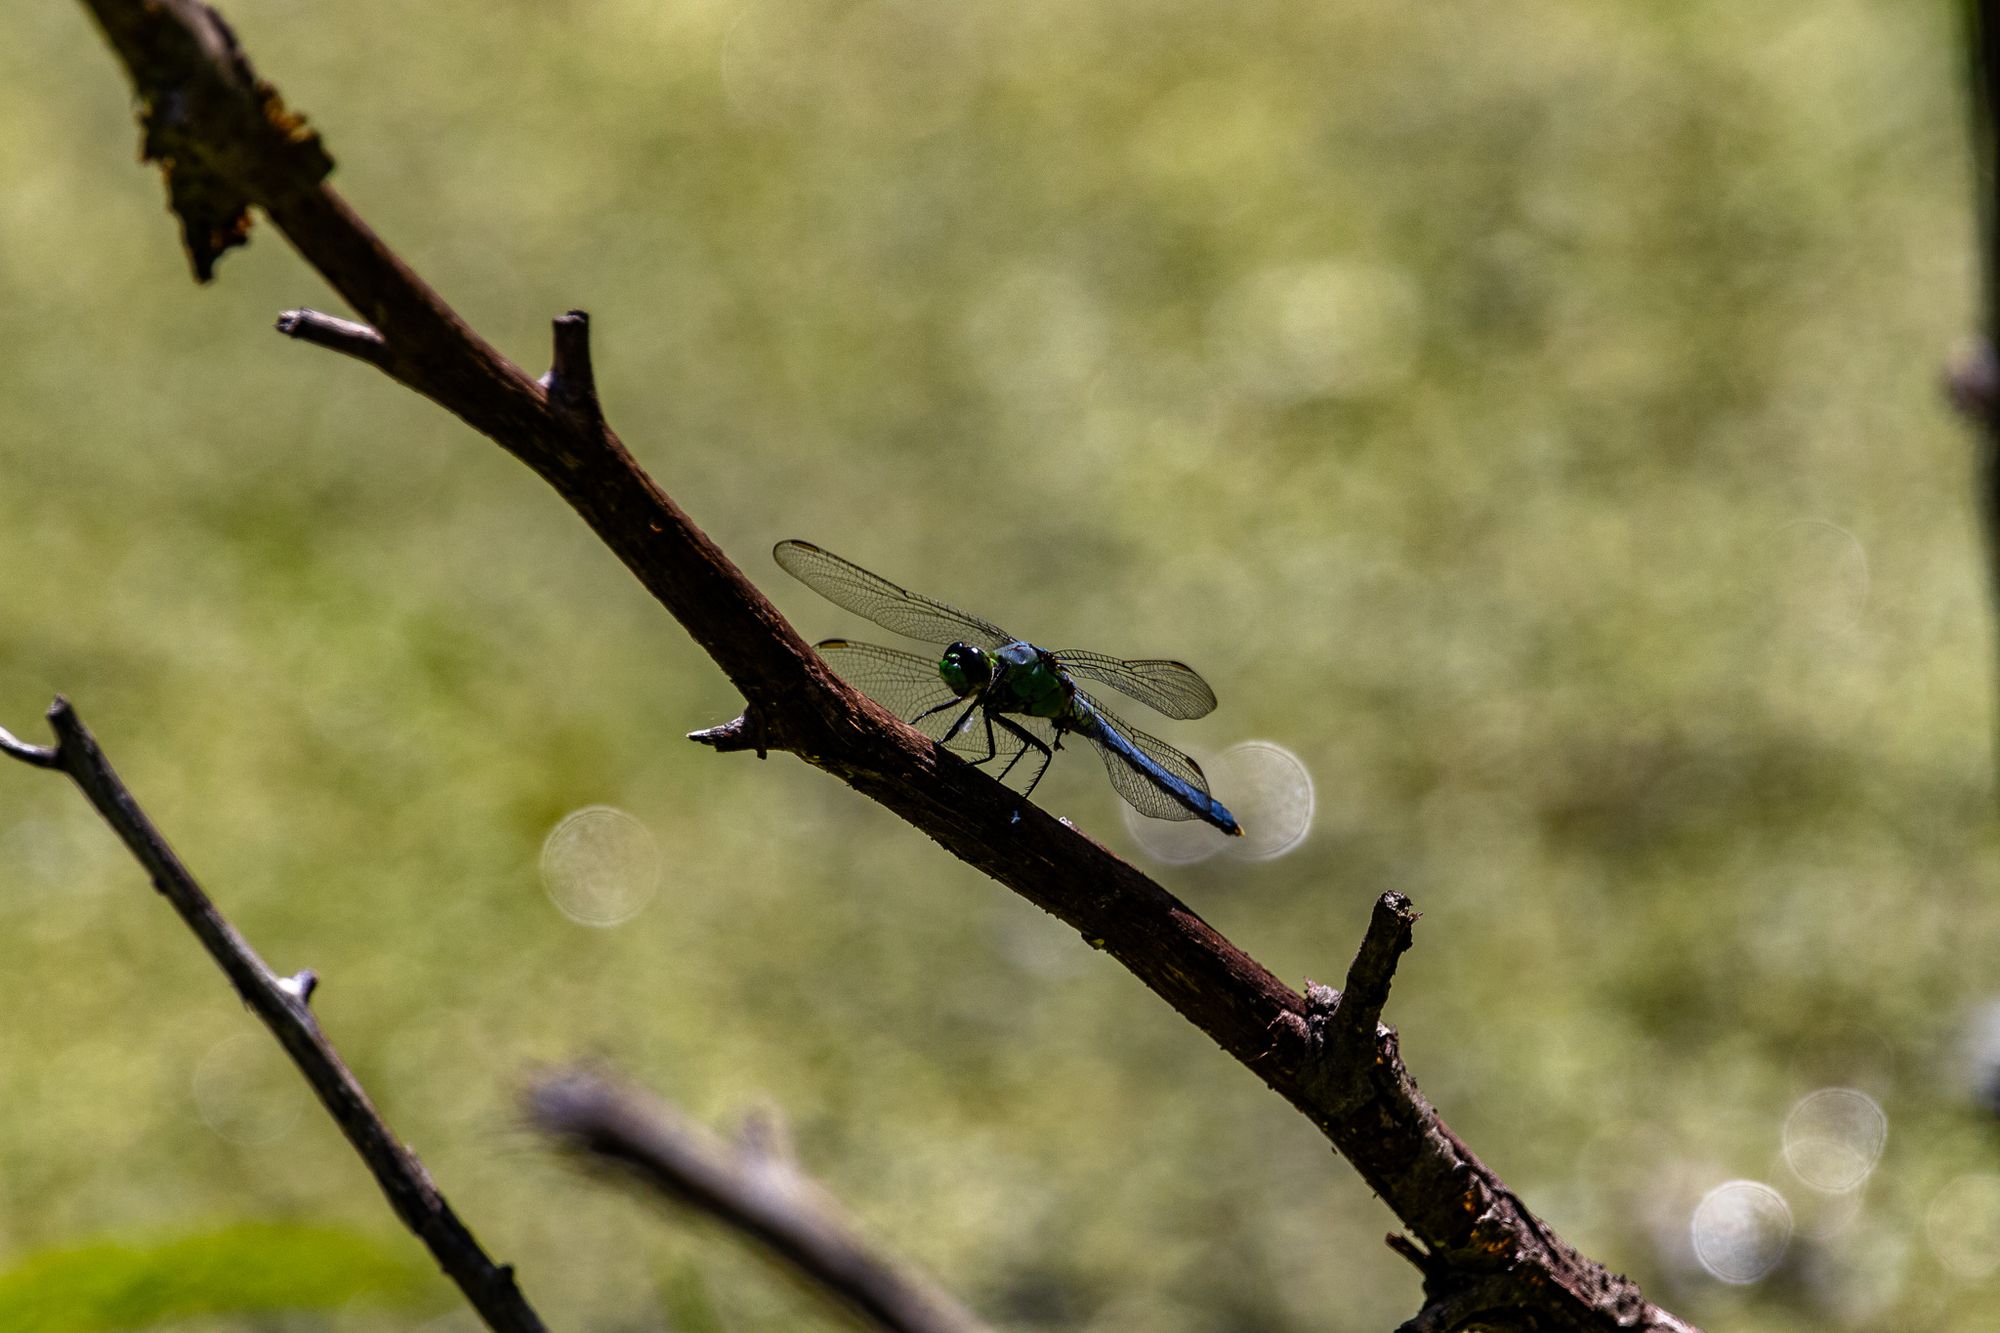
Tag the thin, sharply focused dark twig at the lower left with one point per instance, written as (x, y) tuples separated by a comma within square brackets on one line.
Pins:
[(283, 1006)]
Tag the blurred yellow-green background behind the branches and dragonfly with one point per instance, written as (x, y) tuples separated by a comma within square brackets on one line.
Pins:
[(1525, 413)]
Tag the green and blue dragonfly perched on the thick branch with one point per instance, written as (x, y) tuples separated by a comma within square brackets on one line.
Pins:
[(993, 698)]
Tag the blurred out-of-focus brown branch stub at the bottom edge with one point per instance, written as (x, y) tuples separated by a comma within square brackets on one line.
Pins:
[(753, 1188)]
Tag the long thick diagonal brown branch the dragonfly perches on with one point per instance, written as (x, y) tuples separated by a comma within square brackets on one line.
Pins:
[(227, 143)]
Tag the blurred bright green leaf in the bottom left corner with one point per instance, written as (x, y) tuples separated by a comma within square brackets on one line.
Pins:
[(247, 1268)]
